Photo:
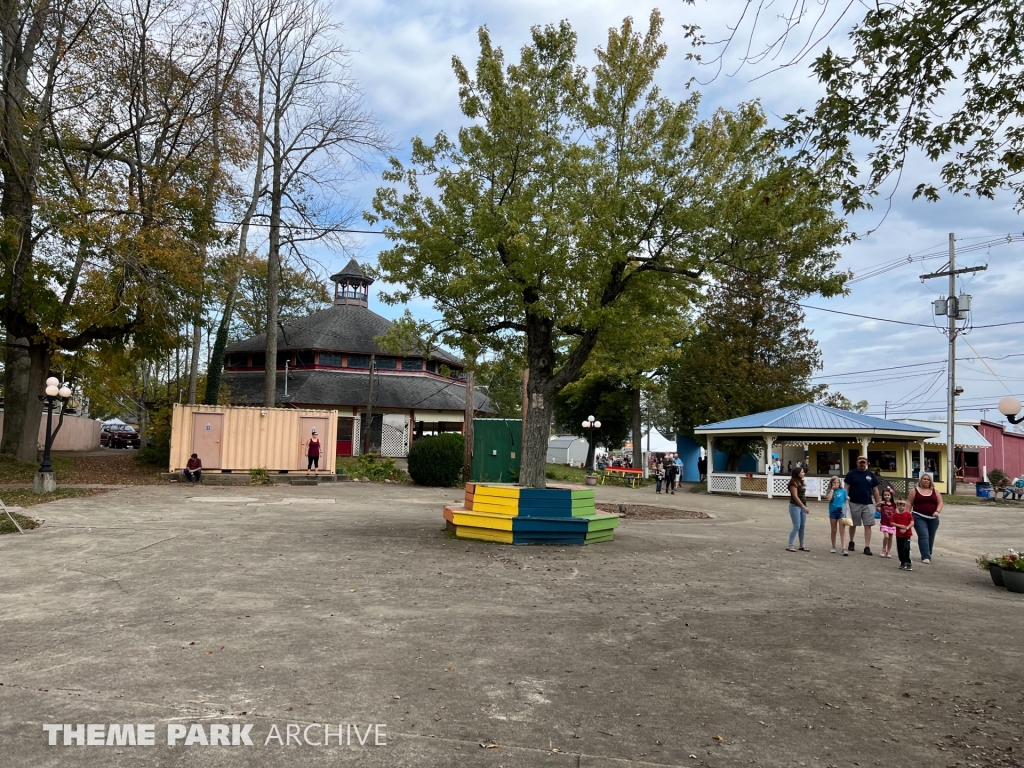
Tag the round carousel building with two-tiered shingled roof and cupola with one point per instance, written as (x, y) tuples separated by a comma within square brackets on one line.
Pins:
[(325, 362)]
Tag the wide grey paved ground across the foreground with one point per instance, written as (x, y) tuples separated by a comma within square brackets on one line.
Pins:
[(691, 643)]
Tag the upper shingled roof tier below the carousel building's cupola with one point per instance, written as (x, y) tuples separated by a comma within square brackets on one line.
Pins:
[(342, 328)]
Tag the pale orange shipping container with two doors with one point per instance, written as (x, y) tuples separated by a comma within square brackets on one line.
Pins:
[(238, 439)]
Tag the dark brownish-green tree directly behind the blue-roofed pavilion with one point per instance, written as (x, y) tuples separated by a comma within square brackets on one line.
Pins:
[(751, 354)]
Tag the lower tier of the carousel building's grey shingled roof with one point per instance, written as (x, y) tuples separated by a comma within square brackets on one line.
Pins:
[(349, 389)]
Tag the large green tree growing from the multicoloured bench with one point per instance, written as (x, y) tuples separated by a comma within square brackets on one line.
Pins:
[(571, 194)]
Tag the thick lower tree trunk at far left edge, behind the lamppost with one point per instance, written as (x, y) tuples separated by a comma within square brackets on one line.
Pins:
[(26, 369)]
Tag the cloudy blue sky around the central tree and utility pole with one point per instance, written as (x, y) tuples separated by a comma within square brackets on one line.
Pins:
[(402, 56)]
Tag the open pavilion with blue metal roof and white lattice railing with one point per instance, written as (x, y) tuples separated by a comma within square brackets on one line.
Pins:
[(829, 441)]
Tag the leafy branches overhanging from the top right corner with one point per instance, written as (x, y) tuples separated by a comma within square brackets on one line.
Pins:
[(942, 77)]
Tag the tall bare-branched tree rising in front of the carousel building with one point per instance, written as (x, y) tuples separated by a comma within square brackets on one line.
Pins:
[(316, 134)]
